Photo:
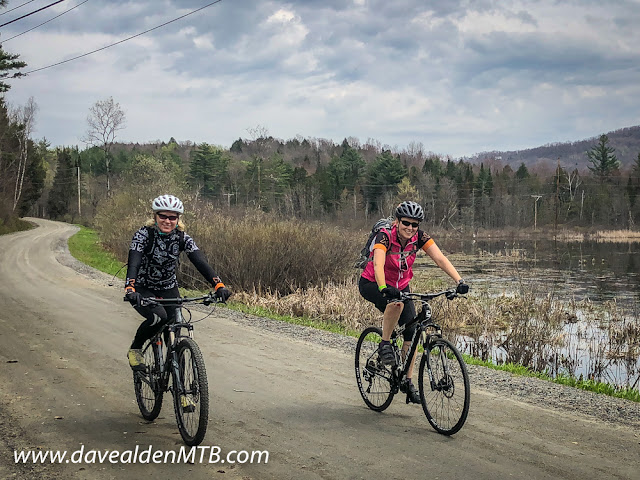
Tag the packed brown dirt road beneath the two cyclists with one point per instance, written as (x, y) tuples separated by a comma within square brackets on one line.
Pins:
[(65, 382)]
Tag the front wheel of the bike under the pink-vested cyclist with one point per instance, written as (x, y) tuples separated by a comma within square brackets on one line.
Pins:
[(445, 402)]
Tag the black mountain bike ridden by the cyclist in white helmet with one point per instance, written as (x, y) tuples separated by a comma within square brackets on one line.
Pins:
[(174, 363)]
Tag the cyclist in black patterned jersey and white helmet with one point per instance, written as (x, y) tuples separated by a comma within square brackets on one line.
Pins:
[(153, 260)]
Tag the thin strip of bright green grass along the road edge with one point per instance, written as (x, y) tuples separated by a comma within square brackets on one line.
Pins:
[(86, 247)]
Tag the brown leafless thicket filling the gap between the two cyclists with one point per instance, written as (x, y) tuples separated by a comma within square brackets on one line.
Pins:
[(253, 250)]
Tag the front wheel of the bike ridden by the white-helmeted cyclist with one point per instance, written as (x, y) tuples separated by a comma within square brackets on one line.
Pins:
[(191, 424)]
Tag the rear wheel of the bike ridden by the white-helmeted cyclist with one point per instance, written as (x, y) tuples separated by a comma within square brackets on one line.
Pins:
[(147, 384)]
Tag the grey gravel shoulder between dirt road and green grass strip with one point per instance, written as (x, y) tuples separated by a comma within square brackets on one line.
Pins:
[(530, 390)]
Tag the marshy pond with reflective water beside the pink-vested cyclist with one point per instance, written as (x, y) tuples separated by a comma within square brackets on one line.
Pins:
[(591, 346)]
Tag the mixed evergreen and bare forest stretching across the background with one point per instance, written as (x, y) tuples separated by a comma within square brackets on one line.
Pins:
[(310, 178)]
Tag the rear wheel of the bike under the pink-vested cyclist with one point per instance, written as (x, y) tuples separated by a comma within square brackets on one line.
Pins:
[(374, 379)]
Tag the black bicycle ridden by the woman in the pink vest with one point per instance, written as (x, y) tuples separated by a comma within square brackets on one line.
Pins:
[(443, 381)]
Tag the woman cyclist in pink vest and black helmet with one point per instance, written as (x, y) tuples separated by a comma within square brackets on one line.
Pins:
[(390, 272)]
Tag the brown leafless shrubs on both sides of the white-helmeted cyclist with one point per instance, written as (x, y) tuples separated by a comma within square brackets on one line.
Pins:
[(250, 250)]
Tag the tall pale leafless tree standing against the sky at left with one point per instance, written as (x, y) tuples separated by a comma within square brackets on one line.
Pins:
[(105, 118)]
